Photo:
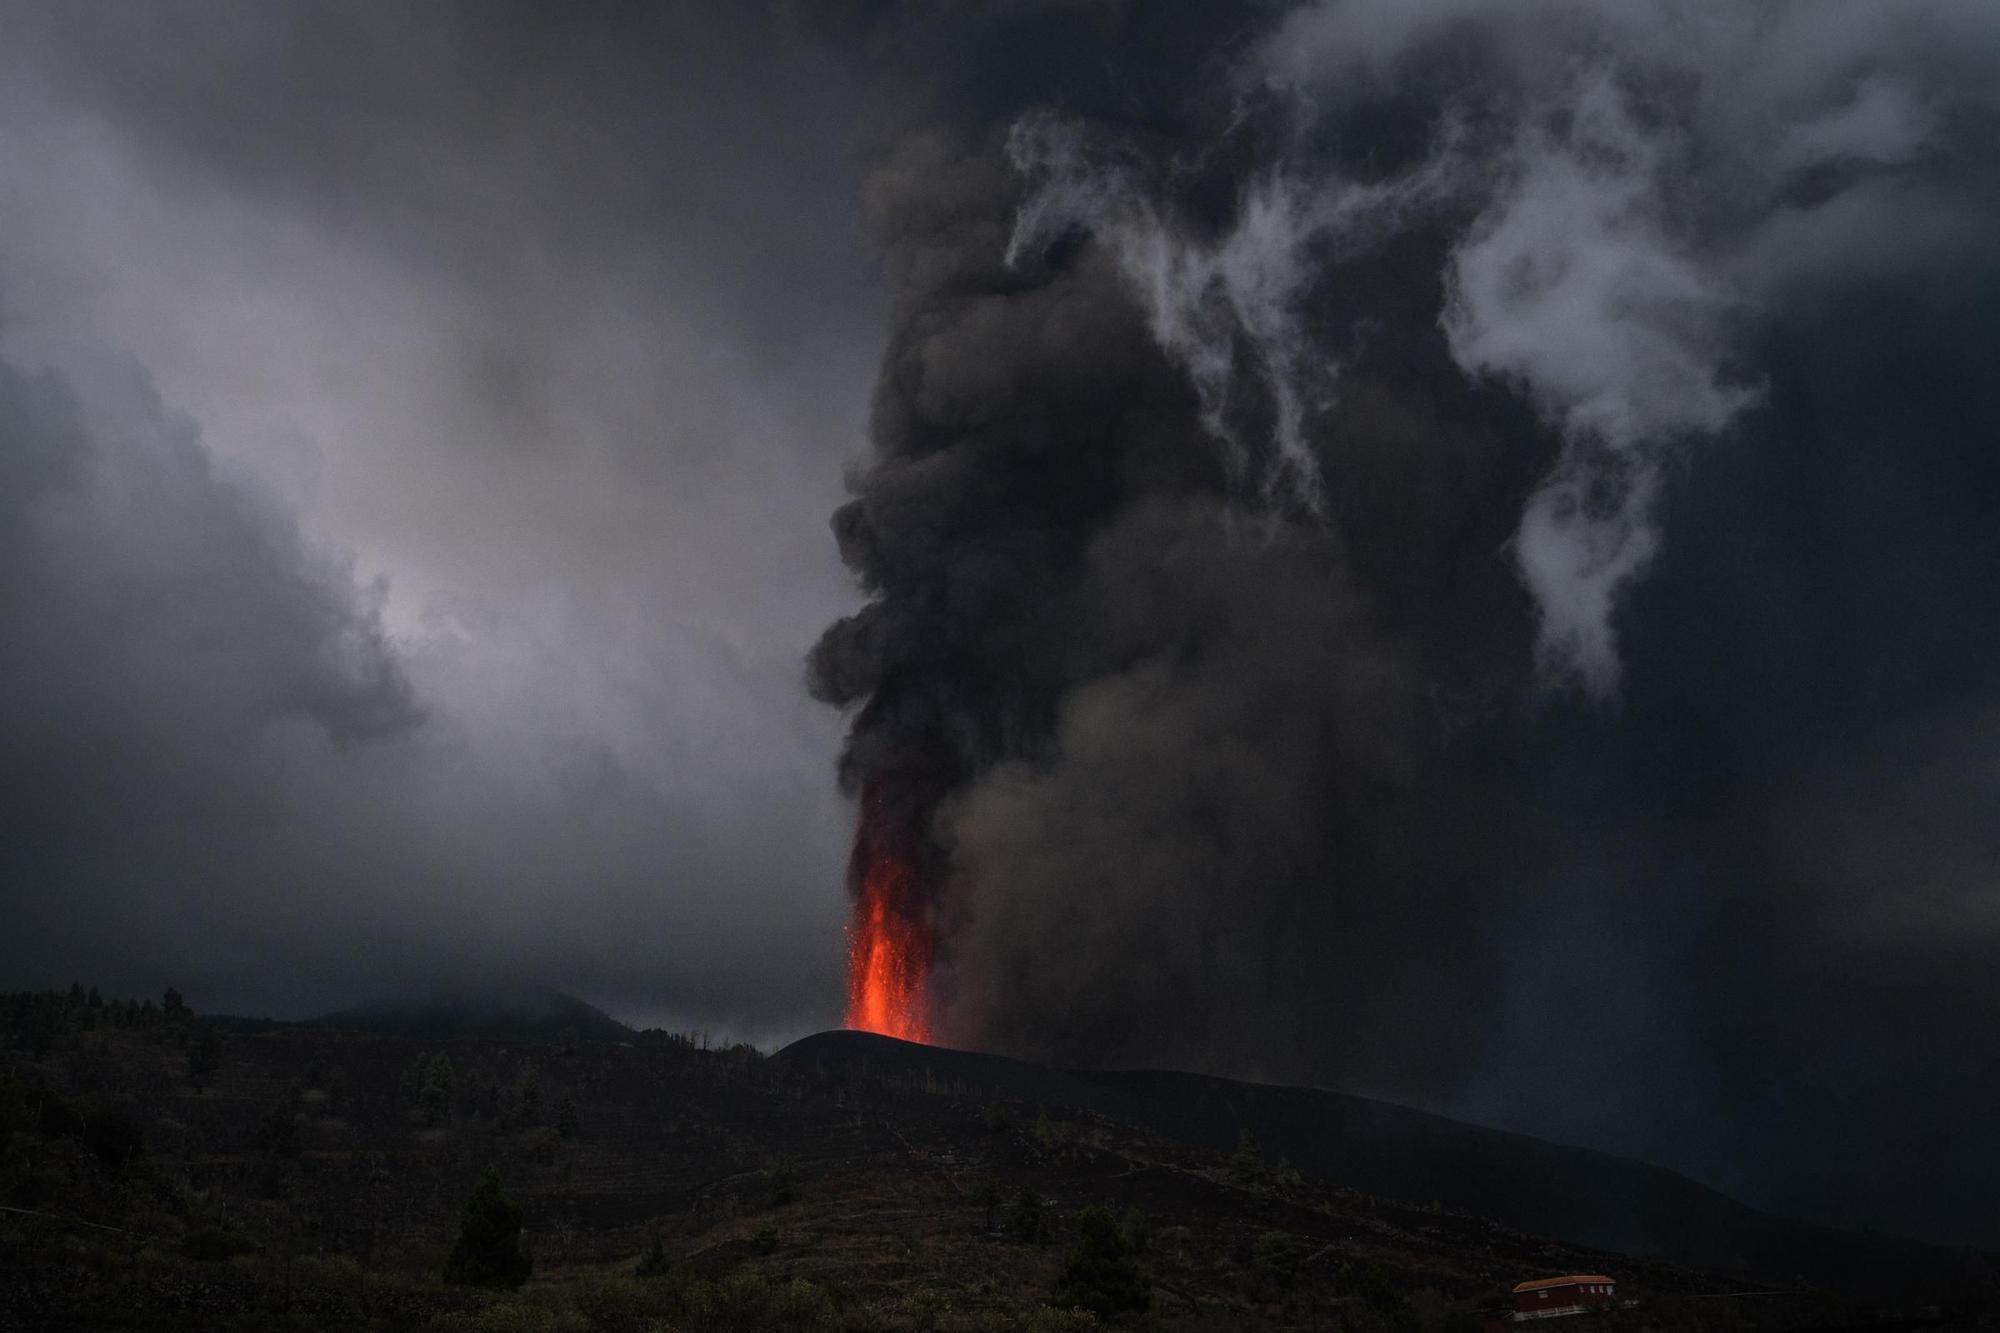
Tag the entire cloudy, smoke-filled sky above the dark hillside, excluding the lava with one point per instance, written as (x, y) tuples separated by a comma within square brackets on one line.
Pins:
[(1435, 549)]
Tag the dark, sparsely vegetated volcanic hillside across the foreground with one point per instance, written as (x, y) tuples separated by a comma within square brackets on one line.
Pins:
[(299, 1176)]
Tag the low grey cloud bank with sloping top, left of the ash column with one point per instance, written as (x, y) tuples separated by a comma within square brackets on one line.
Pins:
[(223, 774)]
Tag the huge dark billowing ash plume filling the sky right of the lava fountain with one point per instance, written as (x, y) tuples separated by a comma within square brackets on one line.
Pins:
[(1383, 523)]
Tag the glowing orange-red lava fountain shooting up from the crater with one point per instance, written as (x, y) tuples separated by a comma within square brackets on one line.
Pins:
[(889, 938)]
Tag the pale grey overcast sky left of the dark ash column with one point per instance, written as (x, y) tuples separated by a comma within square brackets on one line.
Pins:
[(537, 347)]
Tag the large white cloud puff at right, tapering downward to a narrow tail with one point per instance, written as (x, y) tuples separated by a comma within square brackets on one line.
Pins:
[(1571, 287)]
